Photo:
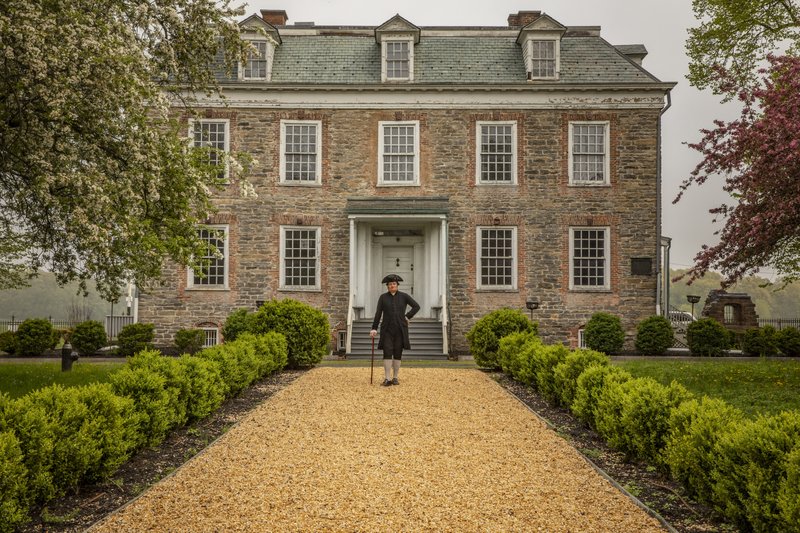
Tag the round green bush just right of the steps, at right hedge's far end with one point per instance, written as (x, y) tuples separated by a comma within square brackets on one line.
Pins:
[(484, 337)]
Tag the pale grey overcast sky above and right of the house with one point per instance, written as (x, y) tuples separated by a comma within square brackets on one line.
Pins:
[(660, 25)]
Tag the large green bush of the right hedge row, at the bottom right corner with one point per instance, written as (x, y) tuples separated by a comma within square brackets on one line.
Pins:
[(751, 469)]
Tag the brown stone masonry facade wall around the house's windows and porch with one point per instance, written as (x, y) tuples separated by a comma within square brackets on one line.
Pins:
[(542, 206)]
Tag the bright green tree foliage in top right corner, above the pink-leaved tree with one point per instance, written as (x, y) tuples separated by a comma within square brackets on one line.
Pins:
[(736, 35)]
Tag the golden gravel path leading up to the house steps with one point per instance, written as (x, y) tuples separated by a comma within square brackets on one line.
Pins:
[(447, 450)]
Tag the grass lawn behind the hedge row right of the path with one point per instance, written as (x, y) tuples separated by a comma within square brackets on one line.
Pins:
[(765, 386)]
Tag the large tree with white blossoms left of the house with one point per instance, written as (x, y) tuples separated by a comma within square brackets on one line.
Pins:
[(96, 177)]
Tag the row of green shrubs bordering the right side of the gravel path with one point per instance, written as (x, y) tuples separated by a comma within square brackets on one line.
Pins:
[(749, 470)]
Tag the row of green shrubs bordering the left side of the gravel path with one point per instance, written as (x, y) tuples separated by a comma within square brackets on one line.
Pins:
[(54, 439)]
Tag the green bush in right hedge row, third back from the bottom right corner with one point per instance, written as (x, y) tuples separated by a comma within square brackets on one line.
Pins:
[(634, 415)]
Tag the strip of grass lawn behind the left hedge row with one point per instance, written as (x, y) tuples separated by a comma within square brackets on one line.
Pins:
[(18, 379)]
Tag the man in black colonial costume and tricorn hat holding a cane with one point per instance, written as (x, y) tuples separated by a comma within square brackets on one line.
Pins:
[(392, 316)]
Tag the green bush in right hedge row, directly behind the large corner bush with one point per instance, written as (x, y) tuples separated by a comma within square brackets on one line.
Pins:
[(689, 452)]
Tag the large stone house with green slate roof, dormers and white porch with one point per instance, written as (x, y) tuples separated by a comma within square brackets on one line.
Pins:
[(488, 166)]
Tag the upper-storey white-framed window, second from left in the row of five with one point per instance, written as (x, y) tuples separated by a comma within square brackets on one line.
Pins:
[(301, 152)]
